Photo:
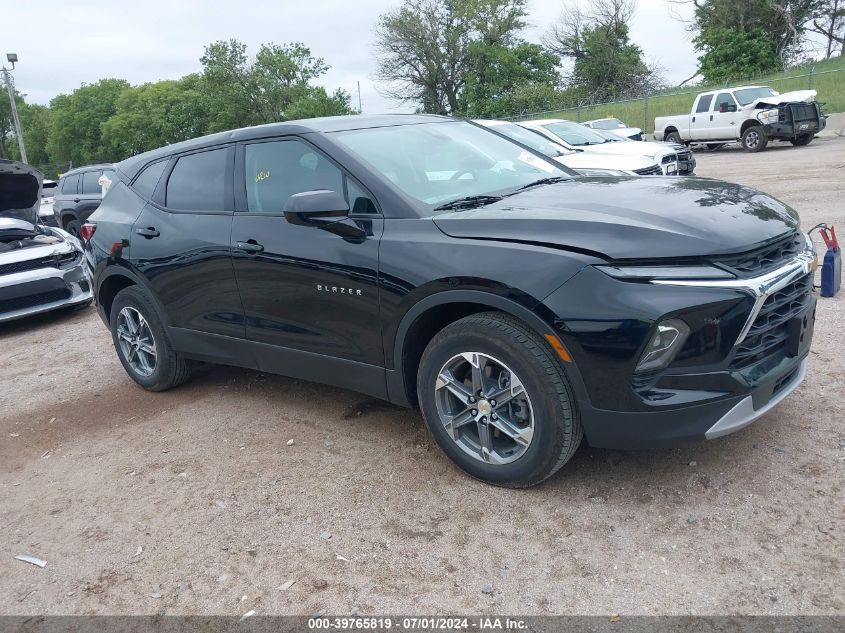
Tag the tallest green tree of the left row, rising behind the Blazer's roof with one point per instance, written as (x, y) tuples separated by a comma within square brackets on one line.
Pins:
[(275, 86)]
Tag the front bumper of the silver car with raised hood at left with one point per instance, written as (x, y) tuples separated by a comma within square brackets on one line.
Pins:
[(42, 290)]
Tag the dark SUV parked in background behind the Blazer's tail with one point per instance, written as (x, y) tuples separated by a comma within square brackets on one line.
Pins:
[(78, 195)]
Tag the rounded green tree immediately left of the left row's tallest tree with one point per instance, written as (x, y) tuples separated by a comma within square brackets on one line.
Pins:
[(156, 114)]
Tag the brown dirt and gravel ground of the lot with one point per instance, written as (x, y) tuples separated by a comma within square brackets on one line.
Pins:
[(192, 501)]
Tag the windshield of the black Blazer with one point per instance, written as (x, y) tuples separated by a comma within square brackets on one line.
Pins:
[(446, 161)]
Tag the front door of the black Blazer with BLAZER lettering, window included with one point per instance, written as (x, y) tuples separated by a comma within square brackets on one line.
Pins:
[(304, 288)]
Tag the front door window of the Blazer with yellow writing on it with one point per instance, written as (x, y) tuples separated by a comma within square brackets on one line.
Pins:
[(277, 170)]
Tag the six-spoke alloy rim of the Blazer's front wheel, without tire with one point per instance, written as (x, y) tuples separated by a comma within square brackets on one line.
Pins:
[(484, 408)]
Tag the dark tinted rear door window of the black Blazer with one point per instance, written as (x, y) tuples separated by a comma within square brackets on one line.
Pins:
[(197, 182)]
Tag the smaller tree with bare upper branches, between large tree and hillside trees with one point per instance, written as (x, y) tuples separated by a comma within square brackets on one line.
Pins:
[(604, 63)]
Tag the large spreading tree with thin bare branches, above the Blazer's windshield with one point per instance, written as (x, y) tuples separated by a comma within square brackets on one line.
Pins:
[(429, 51)]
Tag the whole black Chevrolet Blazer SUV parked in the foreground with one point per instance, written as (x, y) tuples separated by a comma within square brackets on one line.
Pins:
[(432, 263)]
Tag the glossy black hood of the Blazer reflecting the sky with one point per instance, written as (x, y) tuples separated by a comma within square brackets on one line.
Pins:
[(631, 218)]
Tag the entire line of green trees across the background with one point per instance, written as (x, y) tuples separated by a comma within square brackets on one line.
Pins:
[(458, 57)]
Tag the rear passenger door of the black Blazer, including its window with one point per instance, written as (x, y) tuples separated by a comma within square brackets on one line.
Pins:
[(180, 244)]
